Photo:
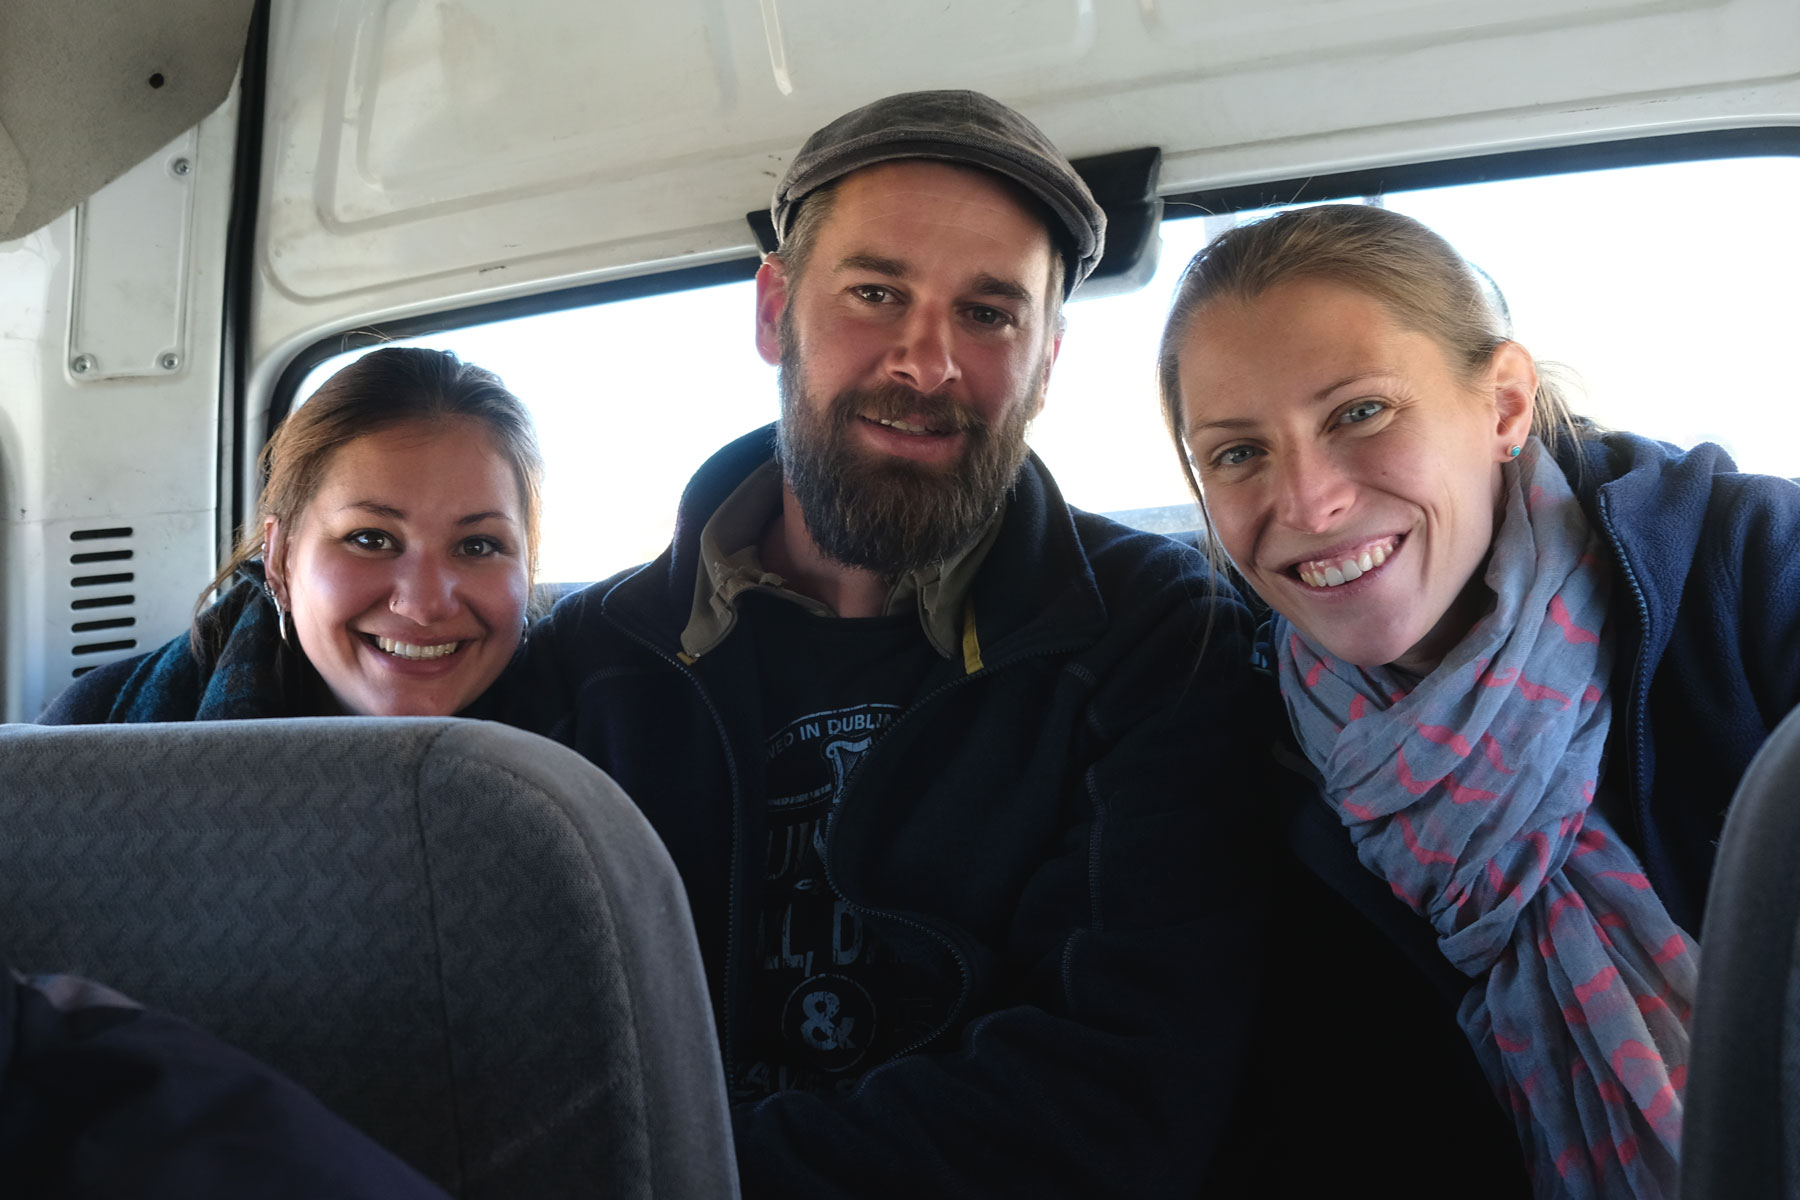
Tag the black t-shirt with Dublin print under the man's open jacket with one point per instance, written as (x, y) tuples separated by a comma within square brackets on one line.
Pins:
[(832, 994)]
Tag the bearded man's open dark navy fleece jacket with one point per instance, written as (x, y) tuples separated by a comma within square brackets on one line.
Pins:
[(1074, 823)]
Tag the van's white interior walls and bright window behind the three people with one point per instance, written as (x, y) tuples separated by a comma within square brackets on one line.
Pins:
[(206, 206)]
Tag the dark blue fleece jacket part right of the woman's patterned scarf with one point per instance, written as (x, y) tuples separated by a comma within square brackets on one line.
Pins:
[(1707, 614)]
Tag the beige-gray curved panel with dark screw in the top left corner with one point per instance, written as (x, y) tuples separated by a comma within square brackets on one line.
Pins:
[(91, 91)]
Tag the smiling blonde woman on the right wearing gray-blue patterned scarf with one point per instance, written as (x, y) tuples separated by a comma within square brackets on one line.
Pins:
[(1525, 661)]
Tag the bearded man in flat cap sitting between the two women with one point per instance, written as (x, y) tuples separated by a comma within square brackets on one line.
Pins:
[(957, 776)]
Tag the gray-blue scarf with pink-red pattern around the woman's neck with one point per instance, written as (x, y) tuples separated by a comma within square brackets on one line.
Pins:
[(1470, 793)]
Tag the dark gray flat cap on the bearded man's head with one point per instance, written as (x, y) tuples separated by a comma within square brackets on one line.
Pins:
[(957, 127)]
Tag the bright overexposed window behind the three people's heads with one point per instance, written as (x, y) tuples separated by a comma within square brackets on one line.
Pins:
[(1666, 289)]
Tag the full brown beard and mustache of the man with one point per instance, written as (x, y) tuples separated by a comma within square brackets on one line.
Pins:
[(881, 514)]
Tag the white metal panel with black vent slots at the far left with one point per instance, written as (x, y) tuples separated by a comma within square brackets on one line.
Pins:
[(132, 440)]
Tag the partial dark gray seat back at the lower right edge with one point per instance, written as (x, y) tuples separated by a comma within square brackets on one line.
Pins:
[(1741, 1127)]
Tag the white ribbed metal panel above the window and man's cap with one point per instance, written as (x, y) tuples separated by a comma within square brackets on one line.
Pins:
[(429, 154)]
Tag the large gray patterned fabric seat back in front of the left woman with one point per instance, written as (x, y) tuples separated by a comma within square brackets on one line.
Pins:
[(460, 936)]
